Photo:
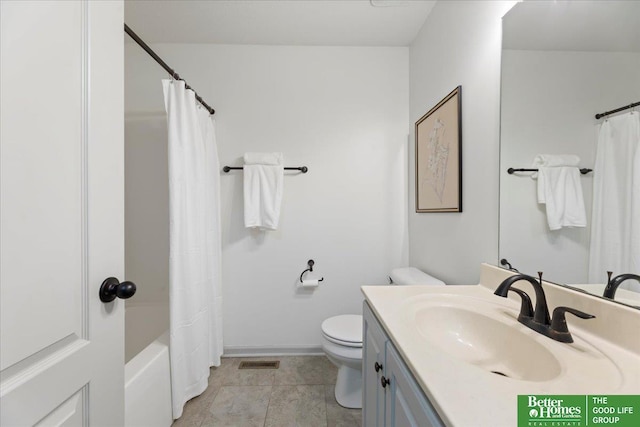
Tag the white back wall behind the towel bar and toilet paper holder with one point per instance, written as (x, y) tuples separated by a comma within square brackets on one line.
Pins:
[(343, 112)]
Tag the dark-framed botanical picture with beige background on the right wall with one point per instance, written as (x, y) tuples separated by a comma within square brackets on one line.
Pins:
[(439, 156)]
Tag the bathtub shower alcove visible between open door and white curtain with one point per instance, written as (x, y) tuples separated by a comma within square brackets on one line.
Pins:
[(147, 376)]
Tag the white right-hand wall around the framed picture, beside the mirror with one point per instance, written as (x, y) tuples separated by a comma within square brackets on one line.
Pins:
[(460, 44)]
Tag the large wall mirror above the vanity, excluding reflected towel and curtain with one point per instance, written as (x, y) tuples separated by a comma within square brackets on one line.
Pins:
[(562, 62)]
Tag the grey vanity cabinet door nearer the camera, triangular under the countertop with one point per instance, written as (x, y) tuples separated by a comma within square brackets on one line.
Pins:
[(406, 405)]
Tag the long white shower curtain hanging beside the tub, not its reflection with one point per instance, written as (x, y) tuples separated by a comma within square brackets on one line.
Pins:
[(195, 296)]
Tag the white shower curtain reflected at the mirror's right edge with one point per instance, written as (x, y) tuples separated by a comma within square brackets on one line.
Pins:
[(615, 223)]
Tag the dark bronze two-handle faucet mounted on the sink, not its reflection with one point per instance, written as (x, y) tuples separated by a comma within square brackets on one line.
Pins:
[(538, 319)]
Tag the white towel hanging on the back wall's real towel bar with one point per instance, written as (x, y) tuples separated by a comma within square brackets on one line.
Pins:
[(263, 182)]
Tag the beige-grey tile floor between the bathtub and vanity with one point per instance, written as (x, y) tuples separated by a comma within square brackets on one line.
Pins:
[(299, 393)]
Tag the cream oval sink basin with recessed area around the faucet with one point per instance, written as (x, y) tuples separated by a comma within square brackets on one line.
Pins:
[(484, 333)]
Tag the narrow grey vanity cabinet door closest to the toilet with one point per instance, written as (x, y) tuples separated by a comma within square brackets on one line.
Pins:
[(373, 363)]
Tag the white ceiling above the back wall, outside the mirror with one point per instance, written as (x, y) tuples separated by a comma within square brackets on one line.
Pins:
[(279, 22)]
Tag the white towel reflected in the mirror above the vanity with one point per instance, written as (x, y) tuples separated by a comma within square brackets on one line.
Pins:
[(560, 189)]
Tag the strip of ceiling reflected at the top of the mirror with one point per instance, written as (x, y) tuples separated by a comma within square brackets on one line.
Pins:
[(600, 26)]
